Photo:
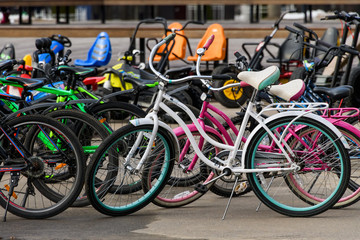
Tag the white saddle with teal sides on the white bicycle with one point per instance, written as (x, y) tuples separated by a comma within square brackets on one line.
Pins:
[(262, 79)]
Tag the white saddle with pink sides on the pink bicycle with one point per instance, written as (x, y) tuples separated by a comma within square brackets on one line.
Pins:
[(290, 91)]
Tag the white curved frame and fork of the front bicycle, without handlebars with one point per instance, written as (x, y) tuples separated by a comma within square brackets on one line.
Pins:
[(280, 143)]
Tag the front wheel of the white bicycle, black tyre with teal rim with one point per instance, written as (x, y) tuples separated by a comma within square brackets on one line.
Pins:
[(109, 167)]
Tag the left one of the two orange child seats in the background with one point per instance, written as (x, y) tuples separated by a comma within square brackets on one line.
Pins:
[(179, 49)]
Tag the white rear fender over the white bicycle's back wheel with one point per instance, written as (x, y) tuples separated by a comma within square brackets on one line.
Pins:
[(296, 114)]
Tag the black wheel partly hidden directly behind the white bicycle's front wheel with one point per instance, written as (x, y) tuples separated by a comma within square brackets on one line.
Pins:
[(115, 115)]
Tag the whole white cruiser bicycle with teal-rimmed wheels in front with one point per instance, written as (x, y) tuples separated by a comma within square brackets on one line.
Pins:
[(146, 149)]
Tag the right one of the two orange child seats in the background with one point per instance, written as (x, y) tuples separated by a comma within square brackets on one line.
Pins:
[(217, 50)]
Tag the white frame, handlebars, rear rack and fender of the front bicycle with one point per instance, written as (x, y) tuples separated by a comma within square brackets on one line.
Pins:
[(218, 164)]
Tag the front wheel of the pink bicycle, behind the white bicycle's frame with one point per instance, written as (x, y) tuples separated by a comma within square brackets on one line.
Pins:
[(180, 188)]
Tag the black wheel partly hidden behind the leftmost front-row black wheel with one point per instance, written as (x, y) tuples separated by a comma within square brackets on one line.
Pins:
[(90, 132)]
